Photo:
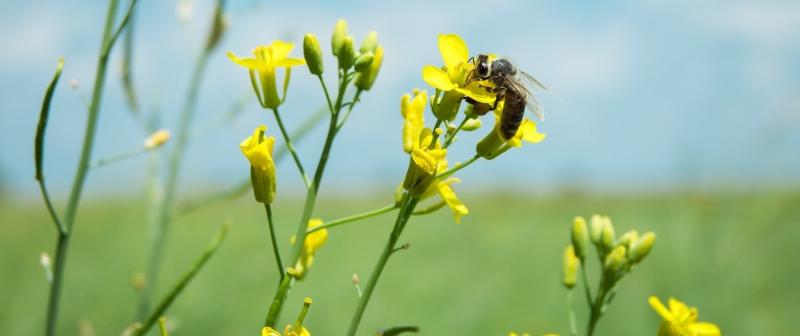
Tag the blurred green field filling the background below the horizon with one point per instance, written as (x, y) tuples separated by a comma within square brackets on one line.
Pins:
[(732, 256)]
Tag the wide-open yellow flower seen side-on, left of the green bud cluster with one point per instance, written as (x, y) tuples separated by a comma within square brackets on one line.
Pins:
[(267, 59)]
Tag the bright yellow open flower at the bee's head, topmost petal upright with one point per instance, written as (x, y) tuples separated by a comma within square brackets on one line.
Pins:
[(453, 78)]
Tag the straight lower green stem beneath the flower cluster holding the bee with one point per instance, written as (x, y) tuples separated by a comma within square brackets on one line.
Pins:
[(407, 207)]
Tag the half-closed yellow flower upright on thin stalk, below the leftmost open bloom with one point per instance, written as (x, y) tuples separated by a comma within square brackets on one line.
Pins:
[(258, 150)]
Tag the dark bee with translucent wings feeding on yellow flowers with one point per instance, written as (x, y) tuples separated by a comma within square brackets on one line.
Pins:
[(512, 85)]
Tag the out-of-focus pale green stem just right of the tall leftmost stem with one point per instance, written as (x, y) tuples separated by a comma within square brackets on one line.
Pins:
[(171, 182)]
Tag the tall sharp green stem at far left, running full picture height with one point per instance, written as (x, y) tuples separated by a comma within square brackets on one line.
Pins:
[(62, 244)]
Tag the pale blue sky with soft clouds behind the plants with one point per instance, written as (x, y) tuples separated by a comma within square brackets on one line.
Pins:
[(645, 95)]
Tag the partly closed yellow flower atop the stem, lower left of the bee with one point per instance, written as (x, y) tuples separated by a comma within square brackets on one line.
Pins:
[(424, 163)]
